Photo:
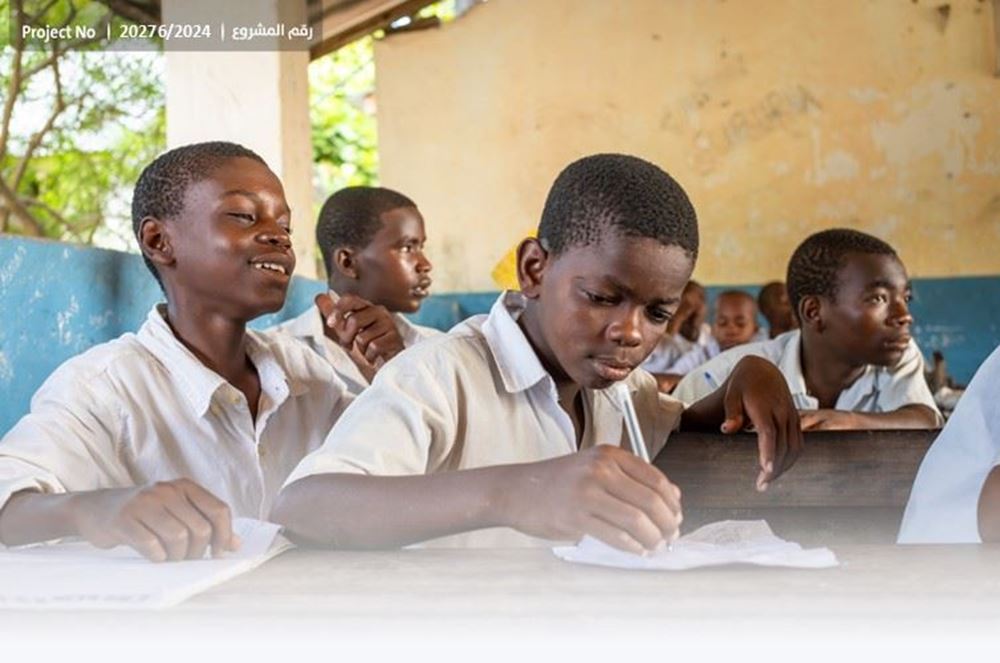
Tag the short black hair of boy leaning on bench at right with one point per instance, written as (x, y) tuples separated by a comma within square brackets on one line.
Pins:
[(815, 264)]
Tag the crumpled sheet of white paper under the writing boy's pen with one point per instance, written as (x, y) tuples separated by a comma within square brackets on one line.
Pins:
[(716, 544)]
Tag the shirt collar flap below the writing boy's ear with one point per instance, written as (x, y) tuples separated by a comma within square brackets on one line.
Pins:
[(519, 365)]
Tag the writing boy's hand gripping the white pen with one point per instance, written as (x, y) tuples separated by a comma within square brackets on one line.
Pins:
[(605, 492)]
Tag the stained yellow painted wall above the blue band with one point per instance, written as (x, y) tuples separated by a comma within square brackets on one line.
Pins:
[(779, 117)]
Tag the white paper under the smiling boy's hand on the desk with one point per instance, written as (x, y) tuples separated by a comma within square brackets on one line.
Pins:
[(77, 575)]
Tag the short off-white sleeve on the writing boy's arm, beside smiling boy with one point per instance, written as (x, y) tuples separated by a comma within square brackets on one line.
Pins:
[(405, 423)]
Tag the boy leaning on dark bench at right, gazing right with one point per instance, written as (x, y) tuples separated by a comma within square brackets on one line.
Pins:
[(853, 363)]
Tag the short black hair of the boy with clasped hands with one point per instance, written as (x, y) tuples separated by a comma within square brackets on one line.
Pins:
[(352, 217)]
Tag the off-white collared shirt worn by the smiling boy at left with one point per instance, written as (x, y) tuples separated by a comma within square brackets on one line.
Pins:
[(142, 408)]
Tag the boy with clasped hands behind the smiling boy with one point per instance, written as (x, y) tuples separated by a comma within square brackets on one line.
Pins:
[(372, 241)]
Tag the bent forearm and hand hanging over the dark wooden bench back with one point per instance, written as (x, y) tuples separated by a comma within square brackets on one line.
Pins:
[(755, 394)]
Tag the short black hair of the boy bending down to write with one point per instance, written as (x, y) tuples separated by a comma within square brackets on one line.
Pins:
[(618, 193)]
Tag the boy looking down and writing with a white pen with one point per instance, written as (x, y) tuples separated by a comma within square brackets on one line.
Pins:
[(508, 420)]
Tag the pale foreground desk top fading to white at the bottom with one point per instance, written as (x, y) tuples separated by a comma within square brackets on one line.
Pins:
[(394, 603)]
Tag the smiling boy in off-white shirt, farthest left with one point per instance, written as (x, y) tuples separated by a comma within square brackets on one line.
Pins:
[(157, 438)]
